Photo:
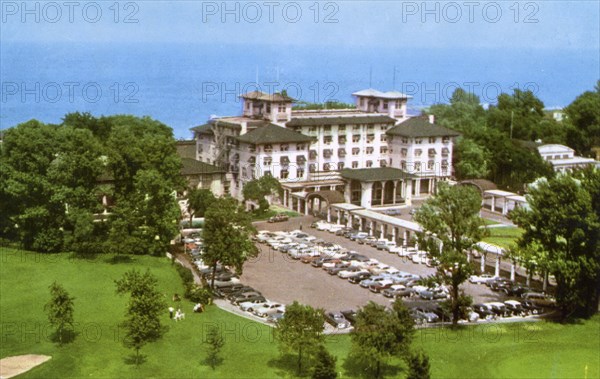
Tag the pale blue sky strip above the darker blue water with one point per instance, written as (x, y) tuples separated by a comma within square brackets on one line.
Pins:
[(394, 24)]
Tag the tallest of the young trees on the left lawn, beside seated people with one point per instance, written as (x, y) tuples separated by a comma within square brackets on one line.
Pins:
[(142, 323)]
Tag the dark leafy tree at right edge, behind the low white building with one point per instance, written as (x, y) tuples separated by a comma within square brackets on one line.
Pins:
[(584, 117)]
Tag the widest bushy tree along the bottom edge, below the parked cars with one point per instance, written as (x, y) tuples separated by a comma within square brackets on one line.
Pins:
[(380, 334)]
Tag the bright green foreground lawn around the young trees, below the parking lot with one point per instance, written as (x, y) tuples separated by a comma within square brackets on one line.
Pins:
[(502, 351)]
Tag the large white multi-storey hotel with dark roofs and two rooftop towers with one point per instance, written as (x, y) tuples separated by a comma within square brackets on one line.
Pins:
[(373, 156)]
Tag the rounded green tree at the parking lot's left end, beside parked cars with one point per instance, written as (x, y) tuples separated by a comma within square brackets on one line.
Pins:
[(227, 235)]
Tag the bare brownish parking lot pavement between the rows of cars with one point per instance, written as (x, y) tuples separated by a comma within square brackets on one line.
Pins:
[(283, 279)]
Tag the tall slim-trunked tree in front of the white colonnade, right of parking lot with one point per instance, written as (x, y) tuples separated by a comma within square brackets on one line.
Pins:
[(451, 228)]
